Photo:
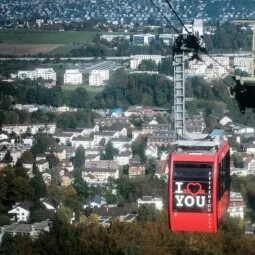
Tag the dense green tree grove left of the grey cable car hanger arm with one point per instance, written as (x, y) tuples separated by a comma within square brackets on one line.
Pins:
[(125, 89)]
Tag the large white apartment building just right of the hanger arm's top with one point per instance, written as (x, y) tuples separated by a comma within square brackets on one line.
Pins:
[(209, 68)]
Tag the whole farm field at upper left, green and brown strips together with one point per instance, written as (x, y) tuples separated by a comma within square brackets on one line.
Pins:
[(18, 42)]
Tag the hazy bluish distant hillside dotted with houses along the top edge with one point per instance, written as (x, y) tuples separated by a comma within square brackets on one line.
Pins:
[(140, 11)]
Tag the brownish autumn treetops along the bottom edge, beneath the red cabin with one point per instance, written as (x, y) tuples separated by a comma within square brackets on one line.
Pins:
[(139, 238)]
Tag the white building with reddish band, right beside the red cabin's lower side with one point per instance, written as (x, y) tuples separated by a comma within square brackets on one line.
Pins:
[(236, 205)]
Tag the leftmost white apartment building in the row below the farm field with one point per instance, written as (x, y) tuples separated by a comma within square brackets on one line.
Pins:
[(43, 73)]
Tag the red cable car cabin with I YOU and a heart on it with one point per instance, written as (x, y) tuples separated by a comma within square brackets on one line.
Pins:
[(199, 185)]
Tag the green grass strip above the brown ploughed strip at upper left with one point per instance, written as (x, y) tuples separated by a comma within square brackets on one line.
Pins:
[(45, 37)]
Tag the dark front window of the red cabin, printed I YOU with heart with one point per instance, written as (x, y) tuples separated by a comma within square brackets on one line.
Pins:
[(192, 187)]
